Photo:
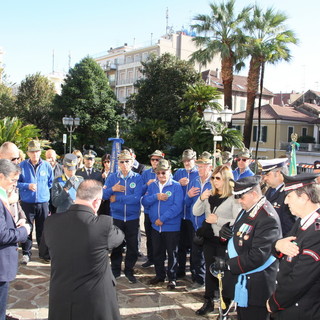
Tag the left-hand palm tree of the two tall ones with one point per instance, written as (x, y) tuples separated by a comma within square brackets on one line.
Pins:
[(219, 33)]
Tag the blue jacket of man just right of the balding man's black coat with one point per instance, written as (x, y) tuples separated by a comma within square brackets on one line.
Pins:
[(127, 204)]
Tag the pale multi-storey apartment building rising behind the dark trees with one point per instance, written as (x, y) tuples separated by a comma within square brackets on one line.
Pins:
[(123, 64)]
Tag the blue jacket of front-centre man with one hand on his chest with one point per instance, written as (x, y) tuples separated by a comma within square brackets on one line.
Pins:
[(169, 211)]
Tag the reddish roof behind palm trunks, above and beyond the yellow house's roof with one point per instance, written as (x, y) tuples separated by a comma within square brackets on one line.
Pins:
[(239, 82)]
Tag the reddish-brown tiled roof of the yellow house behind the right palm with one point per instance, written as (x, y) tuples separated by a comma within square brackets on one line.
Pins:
[(276, 112)]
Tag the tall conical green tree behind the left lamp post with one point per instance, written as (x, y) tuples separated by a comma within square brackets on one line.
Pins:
[(86, 93)]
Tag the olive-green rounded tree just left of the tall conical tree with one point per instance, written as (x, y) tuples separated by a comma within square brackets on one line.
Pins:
[(34, 103)]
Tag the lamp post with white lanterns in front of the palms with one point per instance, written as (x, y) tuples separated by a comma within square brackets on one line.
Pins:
[(216, 121)]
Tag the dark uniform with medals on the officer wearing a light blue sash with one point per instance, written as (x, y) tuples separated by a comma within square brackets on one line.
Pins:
[(254, 247)]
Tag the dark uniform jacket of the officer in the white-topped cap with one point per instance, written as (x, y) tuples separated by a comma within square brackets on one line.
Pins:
[(284, 213)]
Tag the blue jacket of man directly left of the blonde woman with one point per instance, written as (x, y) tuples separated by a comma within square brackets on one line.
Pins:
[(196, 220)]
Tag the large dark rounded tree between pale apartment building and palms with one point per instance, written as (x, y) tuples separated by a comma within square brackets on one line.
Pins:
[(161, 91)]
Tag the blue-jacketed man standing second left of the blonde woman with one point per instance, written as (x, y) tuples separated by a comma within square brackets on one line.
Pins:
[(184, 177)]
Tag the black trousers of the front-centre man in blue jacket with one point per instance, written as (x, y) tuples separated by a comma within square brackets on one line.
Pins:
[(165, 243)]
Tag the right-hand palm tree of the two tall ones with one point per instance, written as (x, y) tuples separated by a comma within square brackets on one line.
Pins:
[(267, 41)]
